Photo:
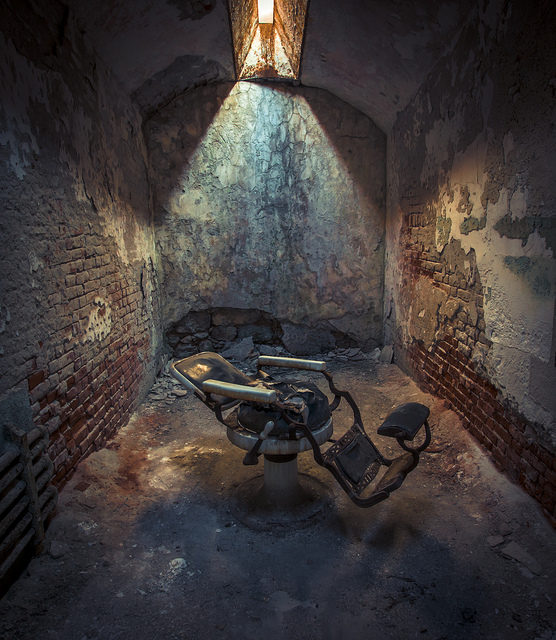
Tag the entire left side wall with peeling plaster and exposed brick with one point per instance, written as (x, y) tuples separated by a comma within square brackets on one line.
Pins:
[(79, 327)]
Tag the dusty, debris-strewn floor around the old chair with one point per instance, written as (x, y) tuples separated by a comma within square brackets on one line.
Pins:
[(144, 544)]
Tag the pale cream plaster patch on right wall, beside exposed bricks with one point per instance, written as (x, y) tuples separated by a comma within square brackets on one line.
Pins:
[(518, 321)]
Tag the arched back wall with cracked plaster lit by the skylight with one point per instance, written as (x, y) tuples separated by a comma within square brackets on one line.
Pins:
[(270, 198)]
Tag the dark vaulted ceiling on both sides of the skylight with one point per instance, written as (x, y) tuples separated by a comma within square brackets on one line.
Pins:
[(371, 53)]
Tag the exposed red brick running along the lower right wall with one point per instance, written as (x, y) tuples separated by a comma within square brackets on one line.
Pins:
[(446, 367)]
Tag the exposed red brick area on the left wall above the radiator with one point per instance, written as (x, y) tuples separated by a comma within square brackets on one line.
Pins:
[(85, 382)]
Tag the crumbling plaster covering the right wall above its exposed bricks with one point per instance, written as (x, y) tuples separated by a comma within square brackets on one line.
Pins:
[(474, 150)]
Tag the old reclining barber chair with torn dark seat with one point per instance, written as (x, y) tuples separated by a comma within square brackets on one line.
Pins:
[(280, 418)]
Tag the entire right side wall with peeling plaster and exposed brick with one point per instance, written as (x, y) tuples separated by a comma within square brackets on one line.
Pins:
[(472, 223)]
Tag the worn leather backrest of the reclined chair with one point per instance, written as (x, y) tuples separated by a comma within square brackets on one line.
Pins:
[(209, 366)]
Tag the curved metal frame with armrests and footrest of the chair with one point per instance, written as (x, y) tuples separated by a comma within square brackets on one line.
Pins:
[(353, 459)]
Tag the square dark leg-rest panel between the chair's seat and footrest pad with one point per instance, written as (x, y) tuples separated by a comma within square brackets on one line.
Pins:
[(355, 457)]
